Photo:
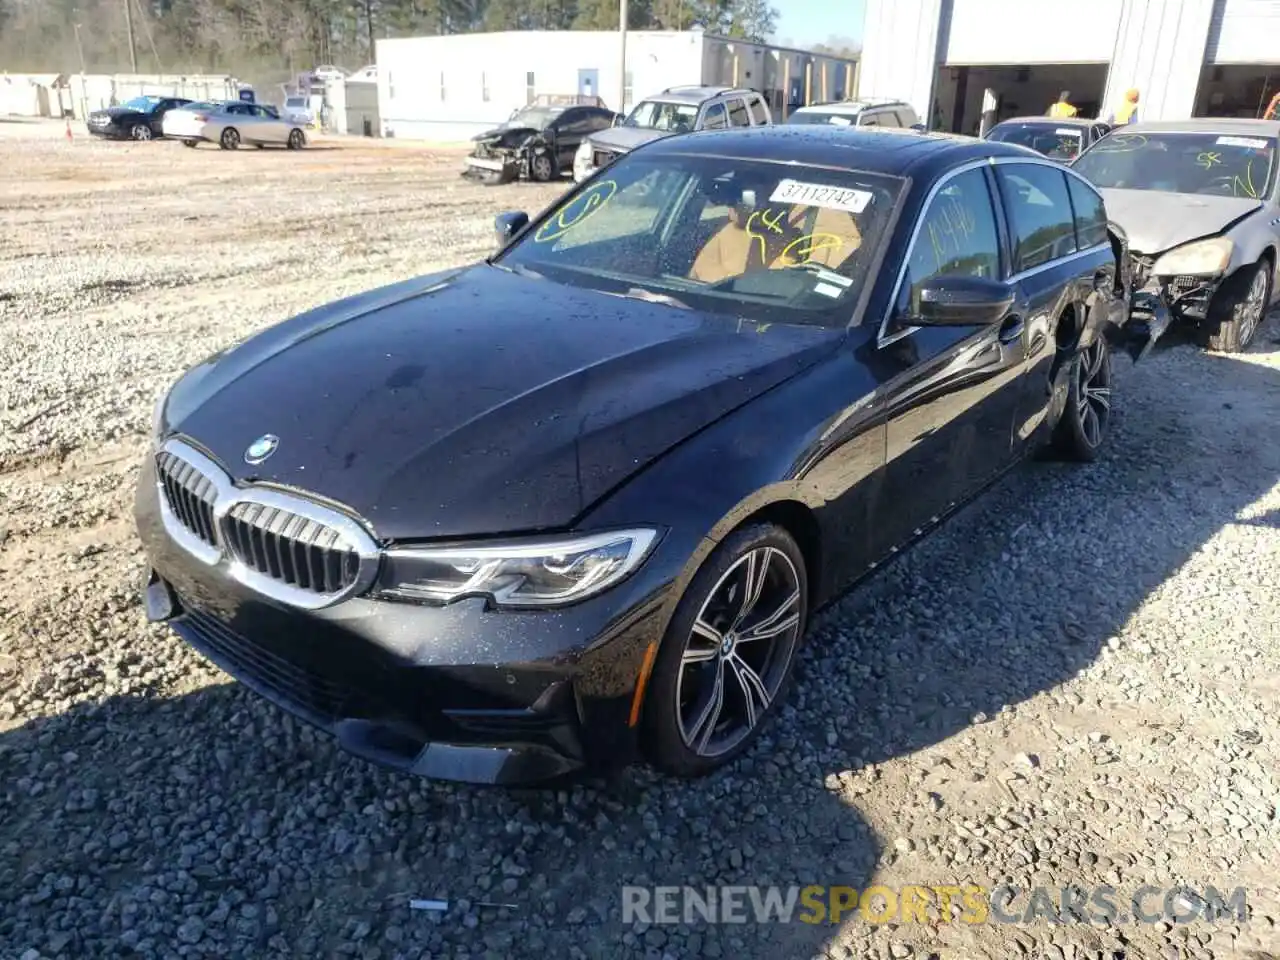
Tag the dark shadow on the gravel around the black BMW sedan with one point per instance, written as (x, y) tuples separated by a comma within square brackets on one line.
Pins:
[(213, 824)]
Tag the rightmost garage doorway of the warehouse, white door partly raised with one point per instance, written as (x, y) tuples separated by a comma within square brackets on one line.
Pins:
[(1242, 71)]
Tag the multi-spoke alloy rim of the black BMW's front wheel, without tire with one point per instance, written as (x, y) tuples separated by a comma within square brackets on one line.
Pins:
[(739, 652)]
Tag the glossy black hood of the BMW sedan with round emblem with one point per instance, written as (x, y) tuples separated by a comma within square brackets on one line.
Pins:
[(479, 403)]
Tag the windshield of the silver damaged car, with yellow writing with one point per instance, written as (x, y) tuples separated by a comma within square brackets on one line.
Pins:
[(1213, 164)]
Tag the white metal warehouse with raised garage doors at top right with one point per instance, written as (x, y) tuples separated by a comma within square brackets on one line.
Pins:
[(1188, 58)]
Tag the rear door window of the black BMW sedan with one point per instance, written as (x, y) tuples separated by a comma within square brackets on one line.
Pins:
[(1040, 213)]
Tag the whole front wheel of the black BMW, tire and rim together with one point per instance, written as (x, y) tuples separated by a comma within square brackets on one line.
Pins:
[(701, 650)]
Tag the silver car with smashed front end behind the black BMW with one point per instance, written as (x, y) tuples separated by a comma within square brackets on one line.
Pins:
[(1201, 205)]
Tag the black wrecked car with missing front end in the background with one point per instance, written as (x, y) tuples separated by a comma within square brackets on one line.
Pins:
[(537, 144)]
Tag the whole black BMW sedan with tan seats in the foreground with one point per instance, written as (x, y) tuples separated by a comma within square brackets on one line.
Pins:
[(575, 505)]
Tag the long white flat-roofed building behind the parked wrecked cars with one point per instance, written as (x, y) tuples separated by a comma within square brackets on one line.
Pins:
[(451, 88)]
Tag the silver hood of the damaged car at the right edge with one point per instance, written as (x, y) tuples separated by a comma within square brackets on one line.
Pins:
[(1156, 221)]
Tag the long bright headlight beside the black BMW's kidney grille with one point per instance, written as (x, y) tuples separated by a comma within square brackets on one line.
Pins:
[(546, 573)]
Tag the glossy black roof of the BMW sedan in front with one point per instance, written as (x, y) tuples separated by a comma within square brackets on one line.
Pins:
[(889, 152)]
